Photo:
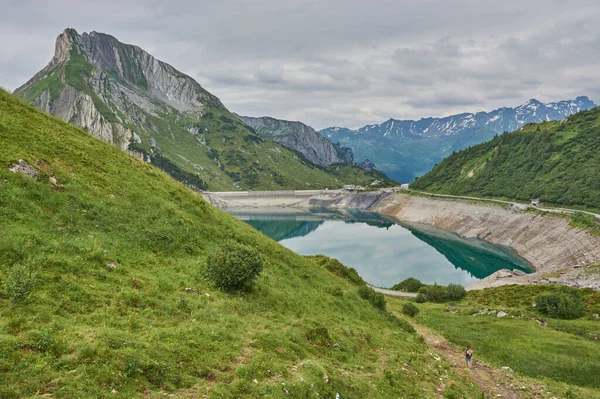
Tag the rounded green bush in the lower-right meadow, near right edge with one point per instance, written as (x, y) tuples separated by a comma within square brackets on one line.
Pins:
[(566, 303)]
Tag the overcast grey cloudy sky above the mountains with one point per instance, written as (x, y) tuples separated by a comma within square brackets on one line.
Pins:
[(337, 63)]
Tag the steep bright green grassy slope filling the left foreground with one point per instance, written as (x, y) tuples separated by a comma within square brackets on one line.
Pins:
[(88, 329)]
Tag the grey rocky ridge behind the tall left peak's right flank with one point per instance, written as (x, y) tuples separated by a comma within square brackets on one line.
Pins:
[(302, 138)]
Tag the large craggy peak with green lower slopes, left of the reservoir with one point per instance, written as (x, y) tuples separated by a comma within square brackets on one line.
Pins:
[(122, 94)]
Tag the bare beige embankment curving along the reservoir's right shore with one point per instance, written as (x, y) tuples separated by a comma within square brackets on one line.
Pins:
[(559, 252)]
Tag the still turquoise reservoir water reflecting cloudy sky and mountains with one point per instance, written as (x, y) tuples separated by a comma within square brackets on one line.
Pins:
[(381, 250)]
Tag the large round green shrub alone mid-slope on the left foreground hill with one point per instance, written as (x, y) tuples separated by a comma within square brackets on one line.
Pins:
[(234, 266)]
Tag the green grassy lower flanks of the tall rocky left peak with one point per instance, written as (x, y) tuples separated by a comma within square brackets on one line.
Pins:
[(236, 154)]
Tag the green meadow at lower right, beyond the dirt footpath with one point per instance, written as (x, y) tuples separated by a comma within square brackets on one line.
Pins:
[(564, 354)]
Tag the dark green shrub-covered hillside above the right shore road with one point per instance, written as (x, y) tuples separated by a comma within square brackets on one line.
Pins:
[(557, 162)]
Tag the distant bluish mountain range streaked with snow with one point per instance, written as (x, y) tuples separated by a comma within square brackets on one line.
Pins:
[(405, 149)]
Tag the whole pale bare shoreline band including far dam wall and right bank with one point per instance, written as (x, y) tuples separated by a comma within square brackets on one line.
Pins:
[(560, 253)]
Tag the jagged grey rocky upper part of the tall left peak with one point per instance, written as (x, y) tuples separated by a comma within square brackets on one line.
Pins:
[(95, 69)]
